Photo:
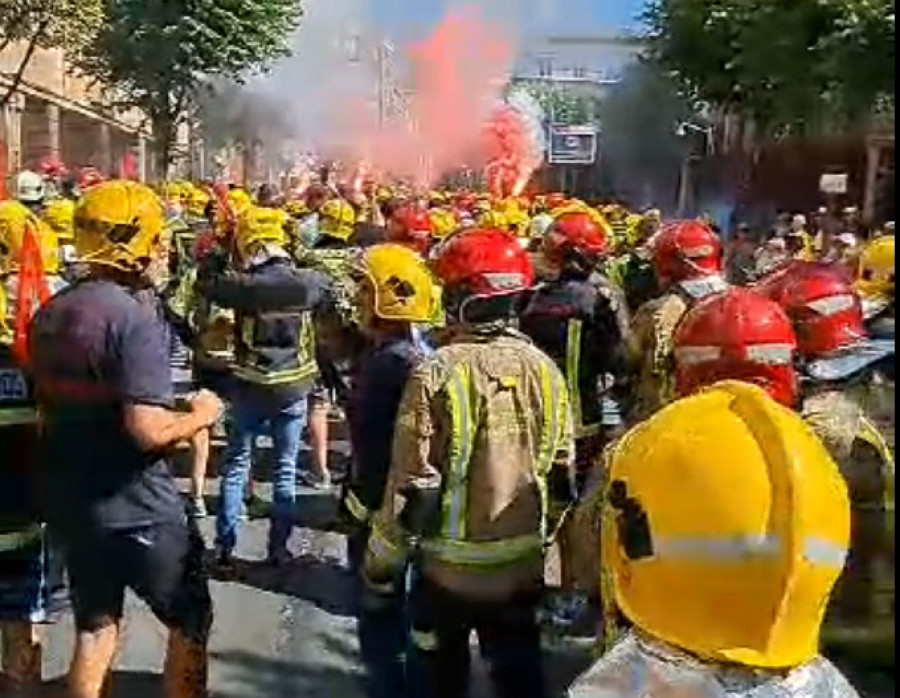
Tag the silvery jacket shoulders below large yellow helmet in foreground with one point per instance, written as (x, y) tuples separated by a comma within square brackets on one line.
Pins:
[(639, 667)]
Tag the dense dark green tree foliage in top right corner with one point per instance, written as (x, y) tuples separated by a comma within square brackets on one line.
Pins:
[(791, 65)]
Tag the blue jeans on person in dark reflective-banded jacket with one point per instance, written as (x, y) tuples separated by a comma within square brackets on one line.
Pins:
[(285, 424)]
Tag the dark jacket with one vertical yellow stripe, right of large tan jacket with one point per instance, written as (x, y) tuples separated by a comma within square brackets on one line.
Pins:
[(579, 324)]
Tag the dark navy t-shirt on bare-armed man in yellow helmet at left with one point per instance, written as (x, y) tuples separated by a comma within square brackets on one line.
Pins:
[(96, 348)]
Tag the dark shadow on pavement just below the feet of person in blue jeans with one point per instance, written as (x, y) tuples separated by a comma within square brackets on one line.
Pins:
[(322, 582)]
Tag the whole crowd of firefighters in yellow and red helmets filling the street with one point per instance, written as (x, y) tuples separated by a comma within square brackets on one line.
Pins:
[(711, 463)]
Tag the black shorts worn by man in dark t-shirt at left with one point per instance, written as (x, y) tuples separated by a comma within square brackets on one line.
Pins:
[(162, 564)]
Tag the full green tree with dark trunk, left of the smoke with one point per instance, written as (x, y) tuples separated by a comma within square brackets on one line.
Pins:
[(157, 54)]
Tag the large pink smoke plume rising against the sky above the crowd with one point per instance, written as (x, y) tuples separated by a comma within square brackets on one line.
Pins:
[(459, 73)]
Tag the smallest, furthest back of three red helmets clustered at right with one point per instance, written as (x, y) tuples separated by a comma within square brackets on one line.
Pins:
[(686, 250)]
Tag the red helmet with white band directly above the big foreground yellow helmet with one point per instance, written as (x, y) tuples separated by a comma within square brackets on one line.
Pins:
[(738, 334)]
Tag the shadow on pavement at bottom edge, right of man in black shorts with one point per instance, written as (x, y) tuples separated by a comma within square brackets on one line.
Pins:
[(251, 675)]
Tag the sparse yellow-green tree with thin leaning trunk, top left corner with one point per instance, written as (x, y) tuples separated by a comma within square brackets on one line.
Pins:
[(65, 24)]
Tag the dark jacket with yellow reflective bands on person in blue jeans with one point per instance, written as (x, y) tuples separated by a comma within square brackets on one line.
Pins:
[(274, 342)]
